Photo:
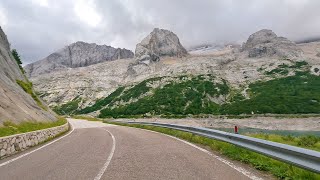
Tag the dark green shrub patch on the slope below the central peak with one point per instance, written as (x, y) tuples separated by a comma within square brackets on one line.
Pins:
[(187, 96)]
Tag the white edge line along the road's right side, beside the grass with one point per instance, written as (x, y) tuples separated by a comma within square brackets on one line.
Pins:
[(239, 169)]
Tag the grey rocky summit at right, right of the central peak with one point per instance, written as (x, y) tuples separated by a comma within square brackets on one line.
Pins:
[(265, 43)]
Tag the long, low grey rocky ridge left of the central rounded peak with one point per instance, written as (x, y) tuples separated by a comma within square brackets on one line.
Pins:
[(79, 54)]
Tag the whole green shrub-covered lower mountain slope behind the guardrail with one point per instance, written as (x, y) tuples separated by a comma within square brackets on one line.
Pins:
[(207, 94)]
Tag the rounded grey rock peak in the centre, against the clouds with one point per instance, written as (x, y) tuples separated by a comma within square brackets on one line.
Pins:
[(158, 43)]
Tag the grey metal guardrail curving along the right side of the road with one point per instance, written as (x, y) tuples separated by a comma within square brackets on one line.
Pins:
[(304, 158)]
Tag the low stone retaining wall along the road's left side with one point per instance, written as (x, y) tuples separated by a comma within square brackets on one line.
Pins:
[(10, 145)]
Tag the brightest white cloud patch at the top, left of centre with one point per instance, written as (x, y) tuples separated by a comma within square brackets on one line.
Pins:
[(85, 10)]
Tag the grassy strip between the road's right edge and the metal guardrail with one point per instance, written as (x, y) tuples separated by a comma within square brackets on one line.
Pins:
[(260, 162)]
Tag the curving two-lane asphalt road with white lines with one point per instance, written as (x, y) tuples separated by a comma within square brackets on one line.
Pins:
[(94, 150)]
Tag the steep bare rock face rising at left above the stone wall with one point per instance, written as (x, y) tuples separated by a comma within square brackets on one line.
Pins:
[(15, 104)]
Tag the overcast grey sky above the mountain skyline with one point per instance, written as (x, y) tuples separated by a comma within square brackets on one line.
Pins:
[(37, 28)]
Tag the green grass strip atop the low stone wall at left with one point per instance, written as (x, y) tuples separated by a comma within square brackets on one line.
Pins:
[(10, 128)]
